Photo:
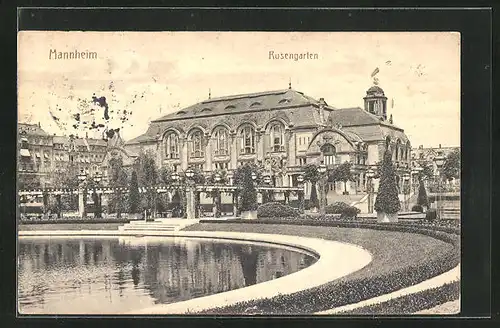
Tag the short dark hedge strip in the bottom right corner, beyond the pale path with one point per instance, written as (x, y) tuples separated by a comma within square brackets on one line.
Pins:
[(412, 303)]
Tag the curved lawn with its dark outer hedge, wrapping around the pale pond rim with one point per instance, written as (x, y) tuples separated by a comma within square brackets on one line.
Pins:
[(403, 255)]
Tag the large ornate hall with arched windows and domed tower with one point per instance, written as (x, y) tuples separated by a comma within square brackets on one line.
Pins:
[(284, 130)]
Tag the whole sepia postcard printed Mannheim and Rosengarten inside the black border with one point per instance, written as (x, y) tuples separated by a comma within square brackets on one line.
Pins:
[(238, 173)]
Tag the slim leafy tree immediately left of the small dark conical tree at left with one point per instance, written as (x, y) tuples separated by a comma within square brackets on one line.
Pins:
[(117, 179)]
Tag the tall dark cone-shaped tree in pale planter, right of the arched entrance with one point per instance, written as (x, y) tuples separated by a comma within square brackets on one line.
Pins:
[(387, 197)]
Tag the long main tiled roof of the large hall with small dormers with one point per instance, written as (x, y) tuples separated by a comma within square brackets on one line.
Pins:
[(242, 104)]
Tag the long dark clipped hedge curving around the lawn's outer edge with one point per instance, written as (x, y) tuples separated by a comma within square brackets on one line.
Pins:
[(341, 292)]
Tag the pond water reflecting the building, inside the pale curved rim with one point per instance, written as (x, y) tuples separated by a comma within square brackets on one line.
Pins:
[(115, 276)]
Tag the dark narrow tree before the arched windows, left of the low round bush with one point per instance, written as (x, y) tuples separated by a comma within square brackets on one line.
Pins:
[(247, 192)]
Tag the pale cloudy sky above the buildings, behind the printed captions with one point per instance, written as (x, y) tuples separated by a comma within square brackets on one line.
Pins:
[(155, 73)]
